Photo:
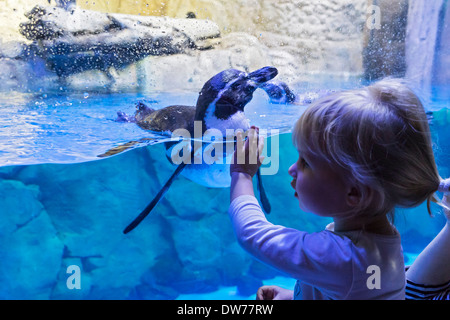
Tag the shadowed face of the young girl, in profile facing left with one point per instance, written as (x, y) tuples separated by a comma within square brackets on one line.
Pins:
[(319, 188)]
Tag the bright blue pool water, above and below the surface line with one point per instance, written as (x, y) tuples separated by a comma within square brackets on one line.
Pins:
[(61, 205)]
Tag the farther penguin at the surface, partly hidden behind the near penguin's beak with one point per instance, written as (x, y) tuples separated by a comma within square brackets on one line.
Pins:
[(280, 93)]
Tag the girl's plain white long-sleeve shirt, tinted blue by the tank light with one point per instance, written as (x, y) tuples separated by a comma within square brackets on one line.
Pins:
[(327, 265)]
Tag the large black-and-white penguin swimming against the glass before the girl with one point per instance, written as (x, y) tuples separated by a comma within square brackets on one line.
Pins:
[(220, 106)]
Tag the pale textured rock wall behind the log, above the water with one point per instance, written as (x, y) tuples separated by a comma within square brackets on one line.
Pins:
[(301, 38)]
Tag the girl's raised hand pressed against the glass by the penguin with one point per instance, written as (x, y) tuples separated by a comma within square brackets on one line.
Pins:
[(247, 155)]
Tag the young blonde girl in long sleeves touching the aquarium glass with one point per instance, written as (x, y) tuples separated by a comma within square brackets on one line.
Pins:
[(361, 154)]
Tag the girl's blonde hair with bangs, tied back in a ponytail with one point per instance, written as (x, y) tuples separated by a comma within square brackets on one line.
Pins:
[(380, 136)]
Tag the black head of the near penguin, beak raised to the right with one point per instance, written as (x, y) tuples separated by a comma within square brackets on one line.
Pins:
[(229, 91)]
